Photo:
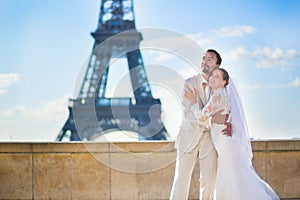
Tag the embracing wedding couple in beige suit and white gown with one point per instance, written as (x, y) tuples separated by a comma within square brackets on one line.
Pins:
[(214, 131)]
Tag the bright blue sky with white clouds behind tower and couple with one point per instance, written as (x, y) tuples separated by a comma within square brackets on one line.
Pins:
[(43, 45)]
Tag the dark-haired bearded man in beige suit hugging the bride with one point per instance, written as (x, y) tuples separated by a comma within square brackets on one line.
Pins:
[(194, 141)]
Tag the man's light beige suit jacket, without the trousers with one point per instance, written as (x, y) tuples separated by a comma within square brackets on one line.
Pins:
[(191, 128)]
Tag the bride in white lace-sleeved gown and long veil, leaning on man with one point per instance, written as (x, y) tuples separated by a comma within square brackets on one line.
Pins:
[(236, 177)]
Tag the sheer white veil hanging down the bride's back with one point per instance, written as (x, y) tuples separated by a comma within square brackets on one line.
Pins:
[(238, 121)]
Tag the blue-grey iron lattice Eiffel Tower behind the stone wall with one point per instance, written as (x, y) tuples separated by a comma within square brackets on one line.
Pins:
[(92, 114)]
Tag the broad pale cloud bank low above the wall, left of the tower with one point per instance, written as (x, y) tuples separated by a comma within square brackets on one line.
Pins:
[(40, 123)]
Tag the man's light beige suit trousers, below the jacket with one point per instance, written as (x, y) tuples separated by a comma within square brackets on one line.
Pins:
[(185, 162)]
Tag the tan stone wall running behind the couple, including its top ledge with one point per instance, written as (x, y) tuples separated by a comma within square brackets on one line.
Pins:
[(124, 170)]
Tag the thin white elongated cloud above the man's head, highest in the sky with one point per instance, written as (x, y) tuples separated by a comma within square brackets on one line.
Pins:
[(235, 31)]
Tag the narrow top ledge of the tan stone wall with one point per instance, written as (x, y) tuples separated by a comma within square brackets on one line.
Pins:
[(118, 147)]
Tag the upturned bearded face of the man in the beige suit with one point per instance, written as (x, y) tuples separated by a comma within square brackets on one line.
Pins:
[(209, 63)]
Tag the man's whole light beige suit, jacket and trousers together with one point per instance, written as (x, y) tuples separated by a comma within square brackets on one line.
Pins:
[(193, 143)]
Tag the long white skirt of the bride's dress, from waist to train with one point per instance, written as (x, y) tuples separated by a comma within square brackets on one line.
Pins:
[(236, 178)]
